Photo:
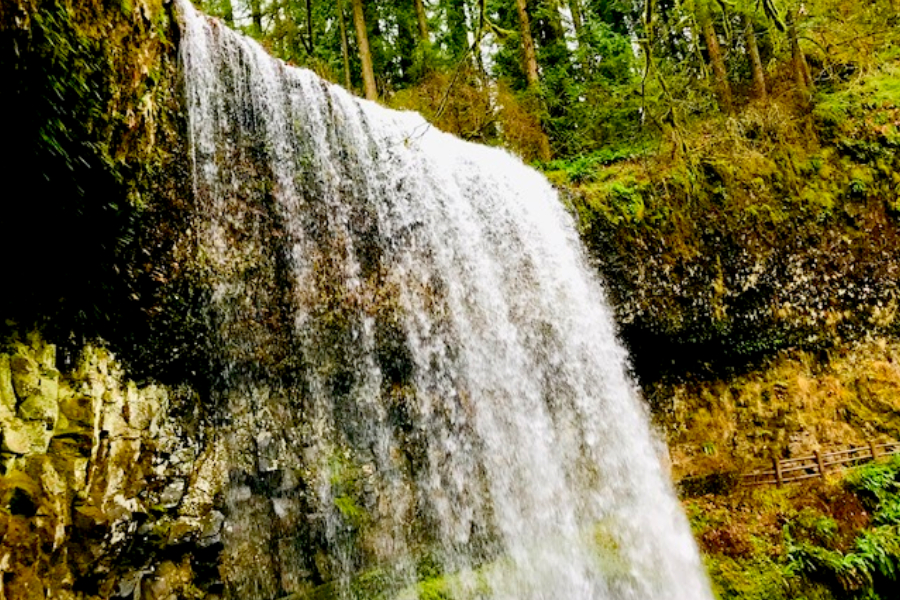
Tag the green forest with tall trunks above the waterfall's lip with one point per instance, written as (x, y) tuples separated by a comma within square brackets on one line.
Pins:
[(561, 78)]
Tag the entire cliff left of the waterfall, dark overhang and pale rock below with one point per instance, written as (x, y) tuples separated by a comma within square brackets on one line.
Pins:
[(106, 484)]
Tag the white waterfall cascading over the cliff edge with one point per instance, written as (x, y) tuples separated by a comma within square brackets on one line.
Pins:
[(421, 390)]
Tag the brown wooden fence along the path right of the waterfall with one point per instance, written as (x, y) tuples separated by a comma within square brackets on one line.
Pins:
[(789, 470)]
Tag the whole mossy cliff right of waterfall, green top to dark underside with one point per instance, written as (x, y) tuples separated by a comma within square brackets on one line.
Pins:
[(772, 228)]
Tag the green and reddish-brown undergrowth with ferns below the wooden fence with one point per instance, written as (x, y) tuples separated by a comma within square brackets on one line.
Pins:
[(834, 540)]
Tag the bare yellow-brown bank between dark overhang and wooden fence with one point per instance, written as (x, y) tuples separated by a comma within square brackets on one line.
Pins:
[(798, 403)]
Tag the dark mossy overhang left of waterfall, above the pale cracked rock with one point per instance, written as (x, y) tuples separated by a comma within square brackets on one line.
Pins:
[(96, 144)]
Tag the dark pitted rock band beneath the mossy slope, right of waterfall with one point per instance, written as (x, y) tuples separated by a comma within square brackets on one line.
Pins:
[(743, 294)]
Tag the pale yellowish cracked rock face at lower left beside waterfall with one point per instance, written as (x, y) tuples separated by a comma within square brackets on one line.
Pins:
[(101, 494)]
